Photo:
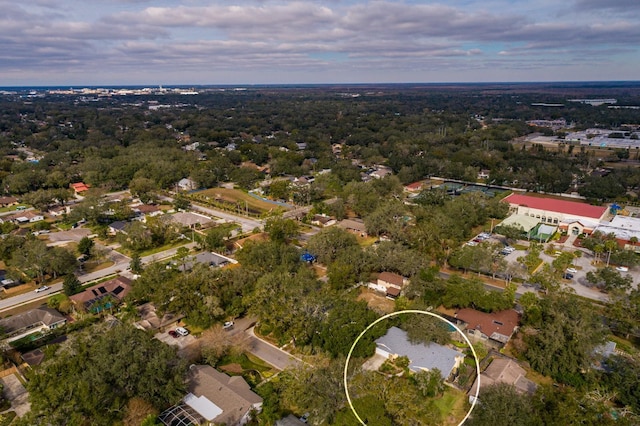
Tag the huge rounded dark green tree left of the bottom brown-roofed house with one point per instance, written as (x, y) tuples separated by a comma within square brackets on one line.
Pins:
[(94, 375)]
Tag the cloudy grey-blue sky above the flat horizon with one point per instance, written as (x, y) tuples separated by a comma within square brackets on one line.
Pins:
[(100, 42)]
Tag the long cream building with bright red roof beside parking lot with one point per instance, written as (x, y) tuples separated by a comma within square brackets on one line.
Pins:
[(573, 216)]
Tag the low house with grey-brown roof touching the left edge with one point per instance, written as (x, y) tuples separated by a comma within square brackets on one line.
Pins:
[(36, 320)]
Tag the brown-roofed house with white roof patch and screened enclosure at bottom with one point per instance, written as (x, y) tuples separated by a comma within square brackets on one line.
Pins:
[(213, 399)]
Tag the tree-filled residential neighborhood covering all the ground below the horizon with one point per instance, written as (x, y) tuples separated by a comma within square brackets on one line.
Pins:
[(216, 262)]
